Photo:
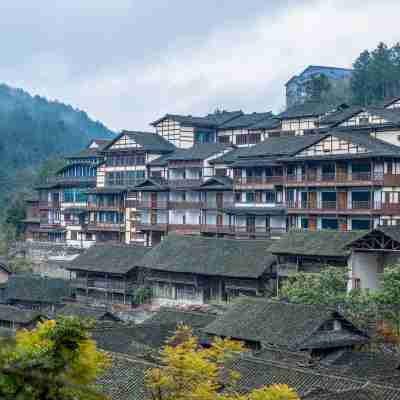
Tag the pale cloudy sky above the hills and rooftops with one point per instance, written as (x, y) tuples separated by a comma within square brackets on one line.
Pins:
[(129, 62)]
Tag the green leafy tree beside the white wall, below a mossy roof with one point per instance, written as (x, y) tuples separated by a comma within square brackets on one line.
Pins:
[(327, 287)]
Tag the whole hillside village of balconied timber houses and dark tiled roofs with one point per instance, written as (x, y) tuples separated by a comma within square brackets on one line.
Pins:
[(201, 221)]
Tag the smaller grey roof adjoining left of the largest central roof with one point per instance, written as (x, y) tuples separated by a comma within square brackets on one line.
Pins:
[(111, 258)]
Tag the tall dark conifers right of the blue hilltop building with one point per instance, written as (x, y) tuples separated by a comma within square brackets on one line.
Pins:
[(376, 75)]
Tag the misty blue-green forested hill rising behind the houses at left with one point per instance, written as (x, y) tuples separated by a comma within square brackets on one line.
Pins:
[(34, 129)]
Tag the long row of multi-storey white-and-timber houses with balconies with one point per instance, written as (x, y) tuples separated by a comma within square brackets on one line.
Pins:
[(228, 174)]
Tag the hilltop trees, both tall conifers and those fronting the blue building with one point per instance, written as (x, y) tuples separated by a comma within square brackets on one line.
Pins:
[(375, 77)]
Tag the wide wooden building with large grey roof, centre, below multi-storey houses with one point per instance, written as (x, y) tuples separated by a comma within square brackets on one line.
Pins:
[(198, 270)]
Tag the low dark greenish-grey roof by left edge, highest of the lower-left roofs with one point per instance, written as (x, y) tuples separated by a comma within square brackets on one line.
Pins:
[(34, 288)]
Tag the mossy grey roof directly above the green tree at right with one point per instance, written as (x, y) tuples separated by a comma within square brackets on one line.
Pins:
[(321, 243)]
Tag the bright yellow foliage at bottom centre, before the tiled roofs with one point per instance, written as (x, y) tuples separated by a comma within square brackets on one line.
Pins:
[(189, 372)]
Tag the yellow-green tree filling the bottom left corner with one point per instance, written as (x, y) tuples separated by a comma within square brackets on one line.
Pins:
[(55, 361)]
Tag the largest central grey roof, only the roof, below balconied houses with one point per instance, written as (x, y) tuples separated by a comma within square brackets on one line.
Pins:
[(210, 256)]
